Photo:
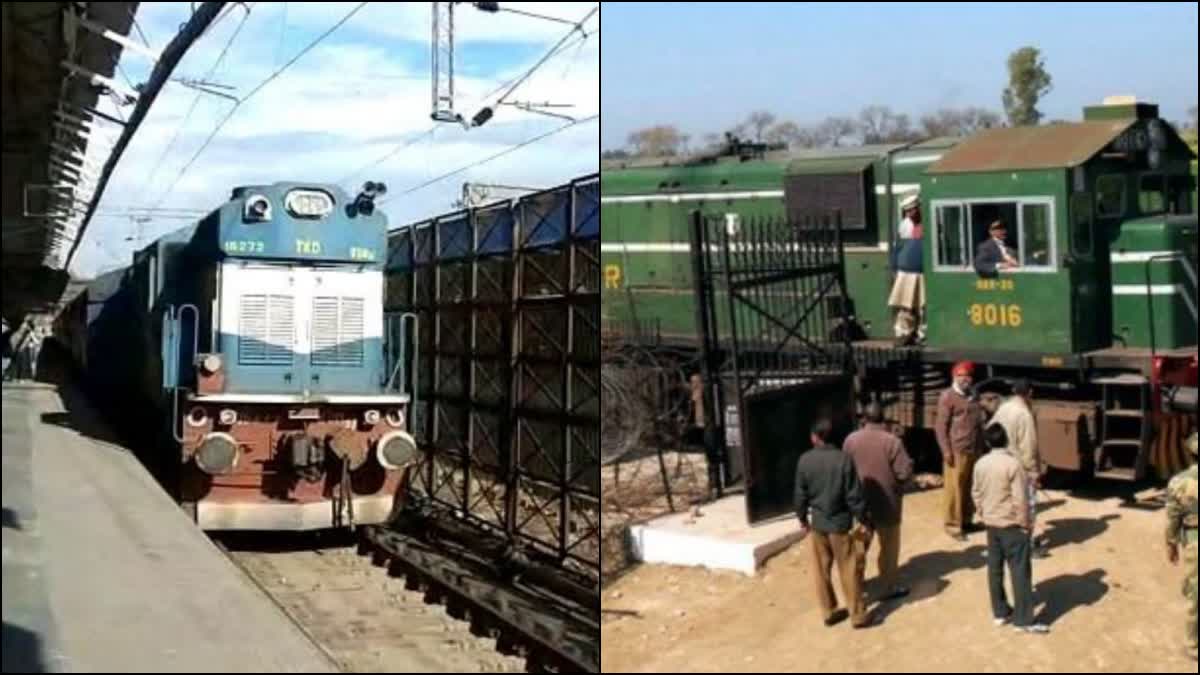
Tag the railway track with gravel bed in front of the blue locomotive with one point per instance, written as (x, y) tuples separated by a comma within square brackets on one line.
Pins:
[(385, 601)]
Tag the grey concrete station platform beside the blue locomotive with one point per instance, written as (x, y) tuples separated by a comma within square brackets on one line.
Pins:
[(103, 572)]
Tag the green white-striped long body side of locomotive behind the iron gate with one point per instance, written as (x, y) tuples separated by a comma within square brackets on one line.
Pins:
[(646, 253)]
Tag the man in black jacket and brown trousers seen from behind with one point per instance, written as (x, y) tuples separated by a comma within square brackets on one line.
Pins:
[(827, 485)]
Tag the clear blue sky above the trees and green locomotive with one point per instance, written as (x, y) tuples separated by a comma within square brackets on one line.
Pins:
[(704, 67)]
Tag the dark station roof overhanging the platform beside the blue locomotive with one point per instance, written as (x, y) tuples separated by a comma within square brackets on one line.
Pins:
[(58, 61)]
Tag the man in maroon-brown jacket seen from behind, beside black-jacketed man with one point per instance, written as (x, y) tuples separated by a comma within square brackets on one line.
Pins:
[(884, 469)]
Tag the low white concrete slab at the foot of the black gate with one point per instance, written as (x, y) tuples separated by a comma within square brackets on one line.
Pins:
[(719, 540)]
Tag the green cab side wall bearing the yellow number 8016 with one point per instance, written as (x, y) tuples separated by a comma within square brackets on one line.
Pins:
[(1022, 312)]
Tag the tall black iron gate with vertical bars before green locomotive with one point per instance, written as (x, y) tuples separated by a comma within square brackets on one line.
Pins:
[(772, 315)]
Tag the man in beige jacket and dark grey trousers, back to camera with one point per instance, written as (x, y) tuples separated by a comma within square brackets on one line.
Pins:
[(1001, 499)]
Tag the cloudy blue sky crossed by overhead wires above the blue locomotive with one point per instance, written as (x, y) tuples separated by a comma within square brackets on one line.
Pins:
[(343, 106)]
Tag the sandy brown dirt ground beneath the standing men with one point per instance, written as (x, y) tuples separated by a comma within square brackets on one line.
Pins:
[(1113, 601)]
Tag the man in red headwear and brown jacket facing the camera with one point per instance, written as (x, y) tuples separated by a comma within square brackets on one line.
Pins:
[(958, 429)]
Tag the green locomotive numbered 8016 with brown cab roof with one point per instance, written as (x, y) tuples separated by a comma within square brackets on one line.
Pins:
[(1101, 314)]
